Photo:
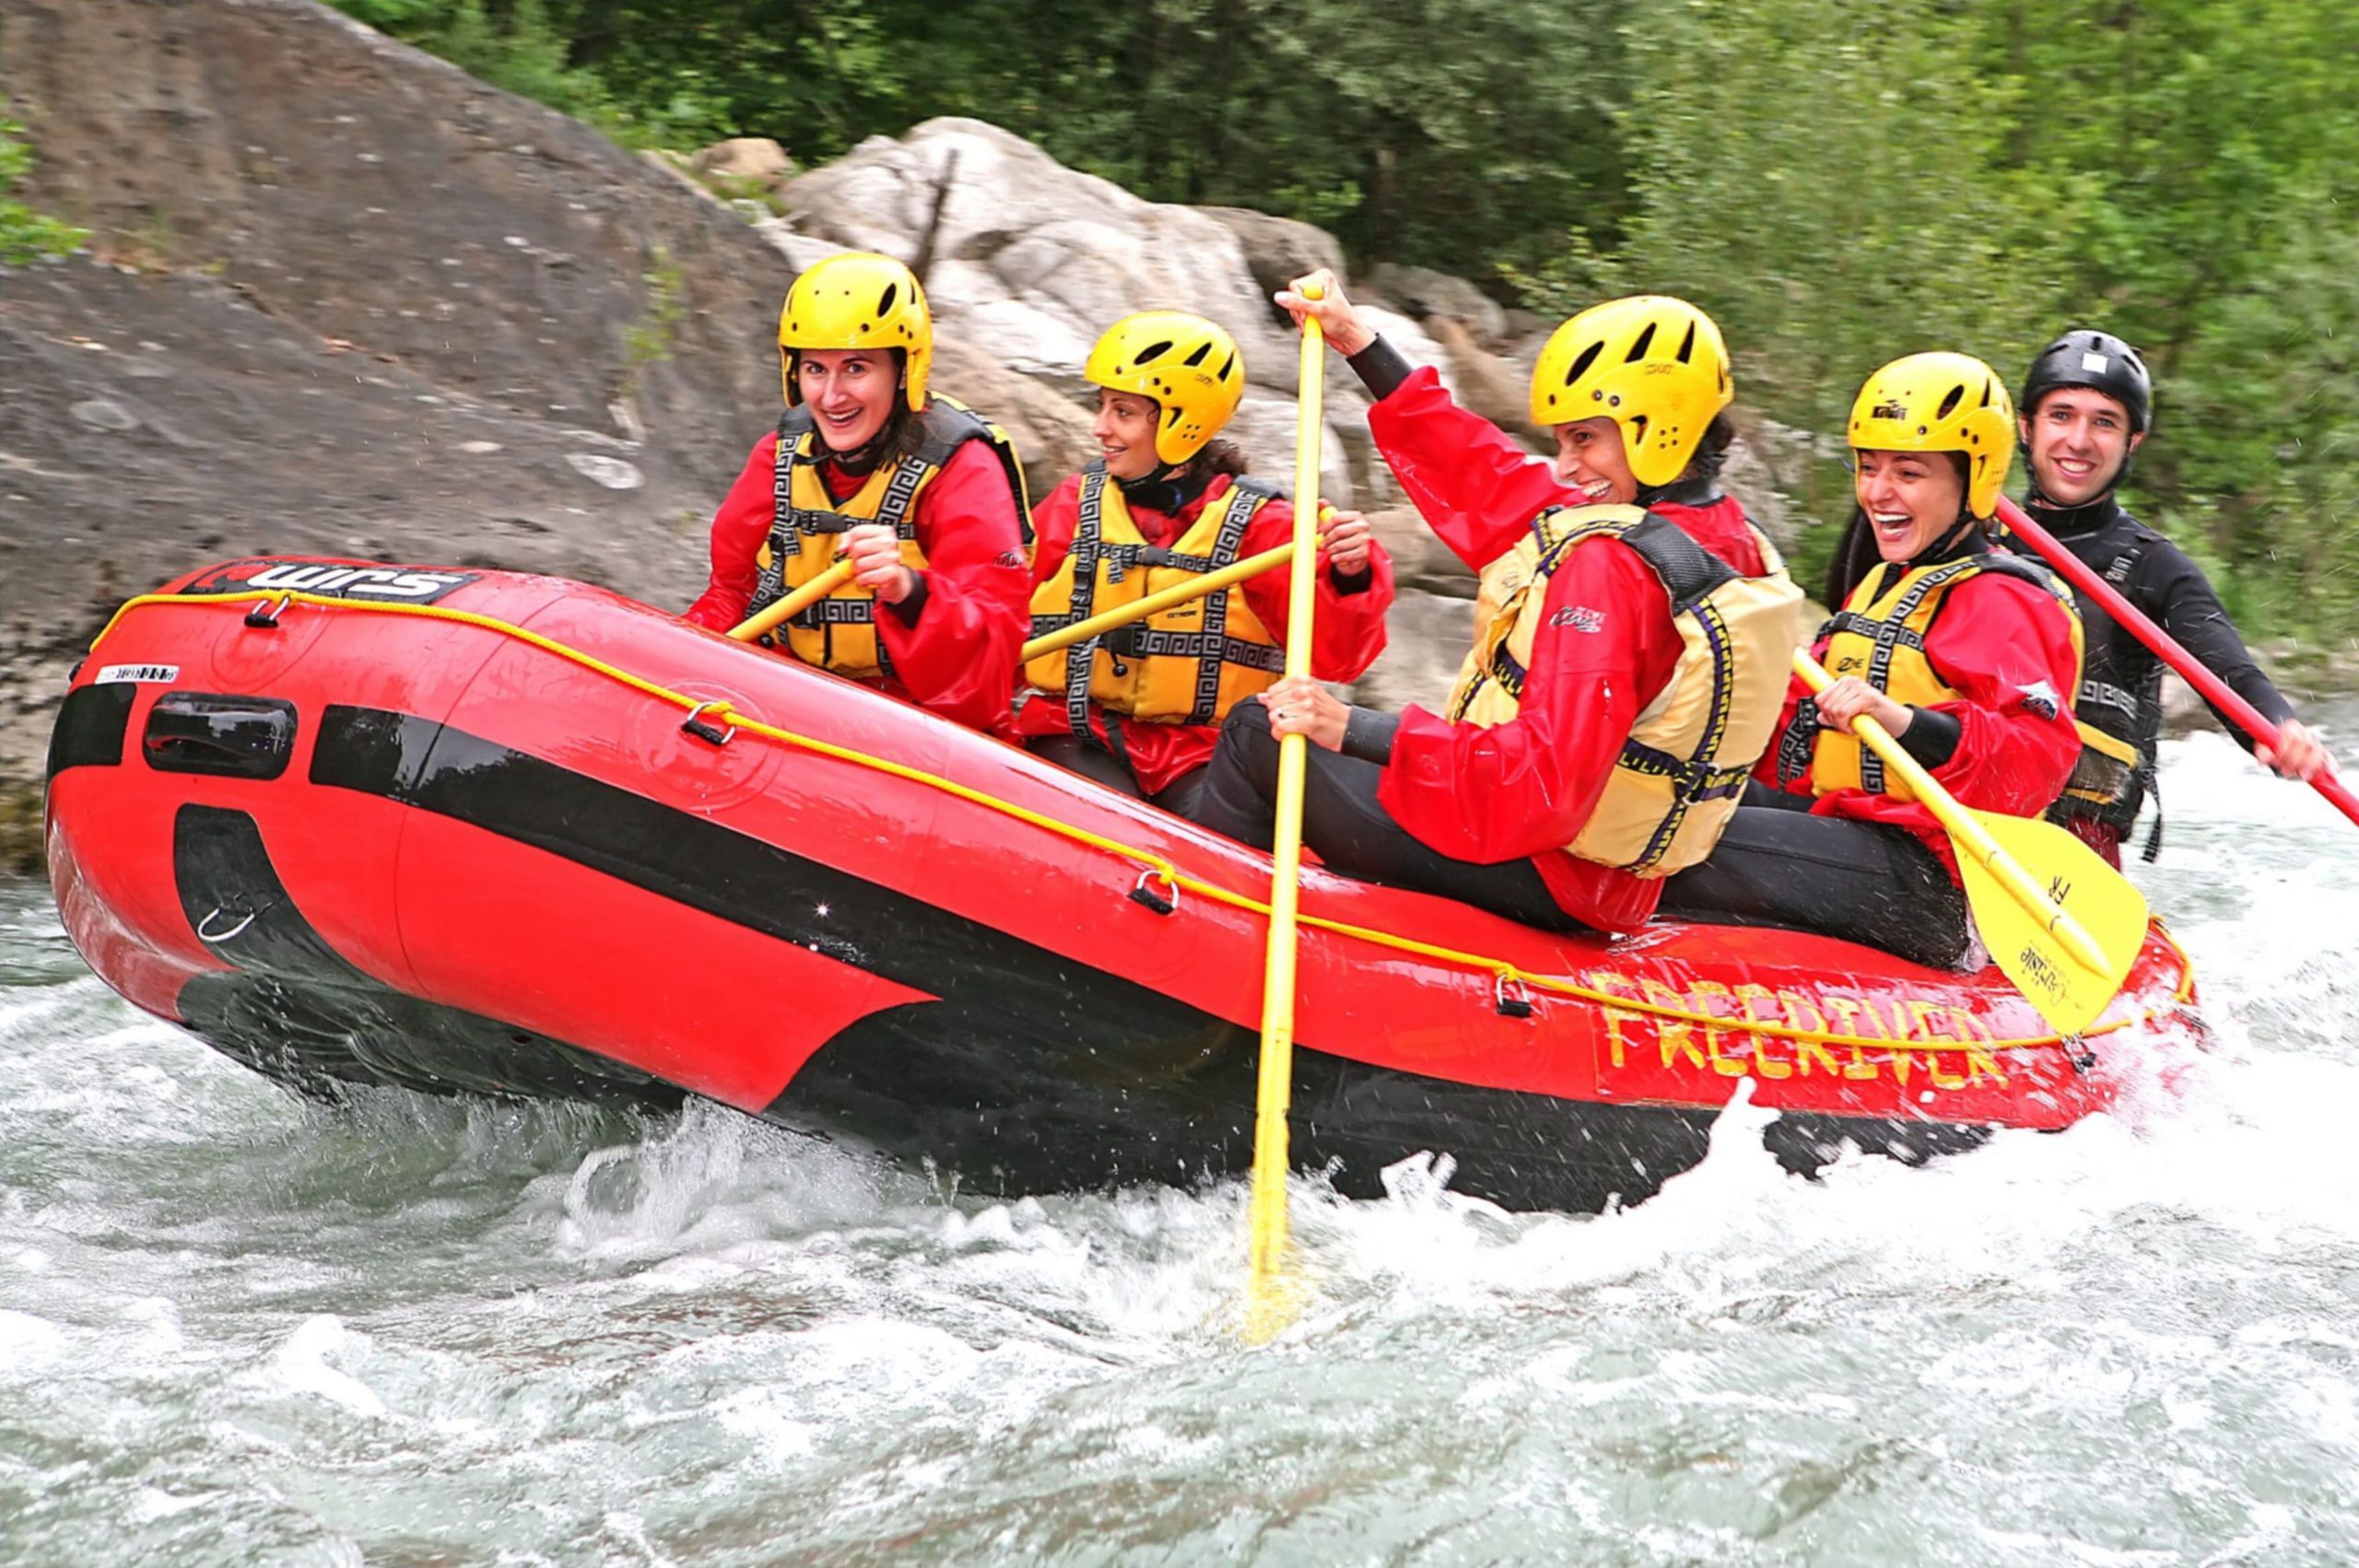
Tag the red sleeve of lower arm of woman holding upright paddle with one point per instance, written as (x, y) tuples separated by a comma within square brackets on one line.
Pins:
[(1603, 652)]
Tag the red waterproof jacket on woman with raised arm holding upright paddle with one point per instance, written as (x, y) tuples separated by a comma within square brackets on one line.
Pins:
[(1527, 789)]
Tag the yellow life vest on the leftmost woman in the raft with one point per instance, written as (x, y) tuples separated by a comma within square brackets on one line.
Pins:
[(839, 633)]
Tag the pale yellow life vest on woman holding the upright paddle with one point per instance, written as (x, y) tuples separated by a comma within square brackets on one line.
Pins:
[(1693, 749)]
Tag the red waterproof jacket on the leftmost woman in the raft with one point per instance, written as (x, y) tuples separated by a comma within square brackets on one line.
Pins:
[(954, 643)]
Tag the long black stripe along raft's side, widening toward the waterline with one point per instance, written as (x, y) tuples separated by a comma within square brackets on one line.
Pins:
[(1030, 1072)]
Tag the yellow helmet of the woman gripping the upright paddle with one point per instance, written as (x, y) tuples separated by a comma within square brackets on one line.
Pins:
[(1652, 364)]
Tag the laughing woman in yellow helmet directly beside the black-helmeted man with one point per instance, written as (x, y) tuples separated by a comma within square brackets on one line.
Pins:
[(1964, 652)]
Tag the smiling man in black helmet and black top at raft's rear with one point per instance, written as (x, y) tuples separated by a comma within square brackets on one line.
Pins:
[(2087, 409)]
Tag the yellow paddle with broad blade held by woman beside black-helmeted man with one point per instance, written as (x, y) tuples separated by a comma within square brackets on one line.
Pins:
[(2058, 921)]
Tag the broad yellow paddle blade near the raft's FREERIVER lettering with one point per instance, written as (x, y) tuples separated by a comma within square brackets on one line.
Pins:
[(2108, 907)]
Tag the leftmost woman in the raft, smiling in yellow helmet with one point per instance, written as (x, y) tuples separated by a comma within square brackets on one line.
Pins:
[(919, 494)]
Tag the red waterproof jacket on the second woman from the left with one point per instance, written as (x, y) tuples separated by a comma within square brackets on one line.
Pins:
[(1346, 640)]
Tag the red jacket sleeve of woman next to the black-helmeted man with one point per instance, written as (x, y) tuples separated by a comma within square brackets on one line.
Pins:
[(2006, 647)]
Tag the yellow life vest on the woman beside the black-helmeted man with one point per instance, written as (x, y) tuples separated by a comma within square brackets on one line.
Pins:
[(1879, 635)]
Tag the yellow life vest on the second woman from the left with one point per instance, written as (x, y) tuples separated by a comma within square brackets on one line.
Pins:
[(1183, 666)]
